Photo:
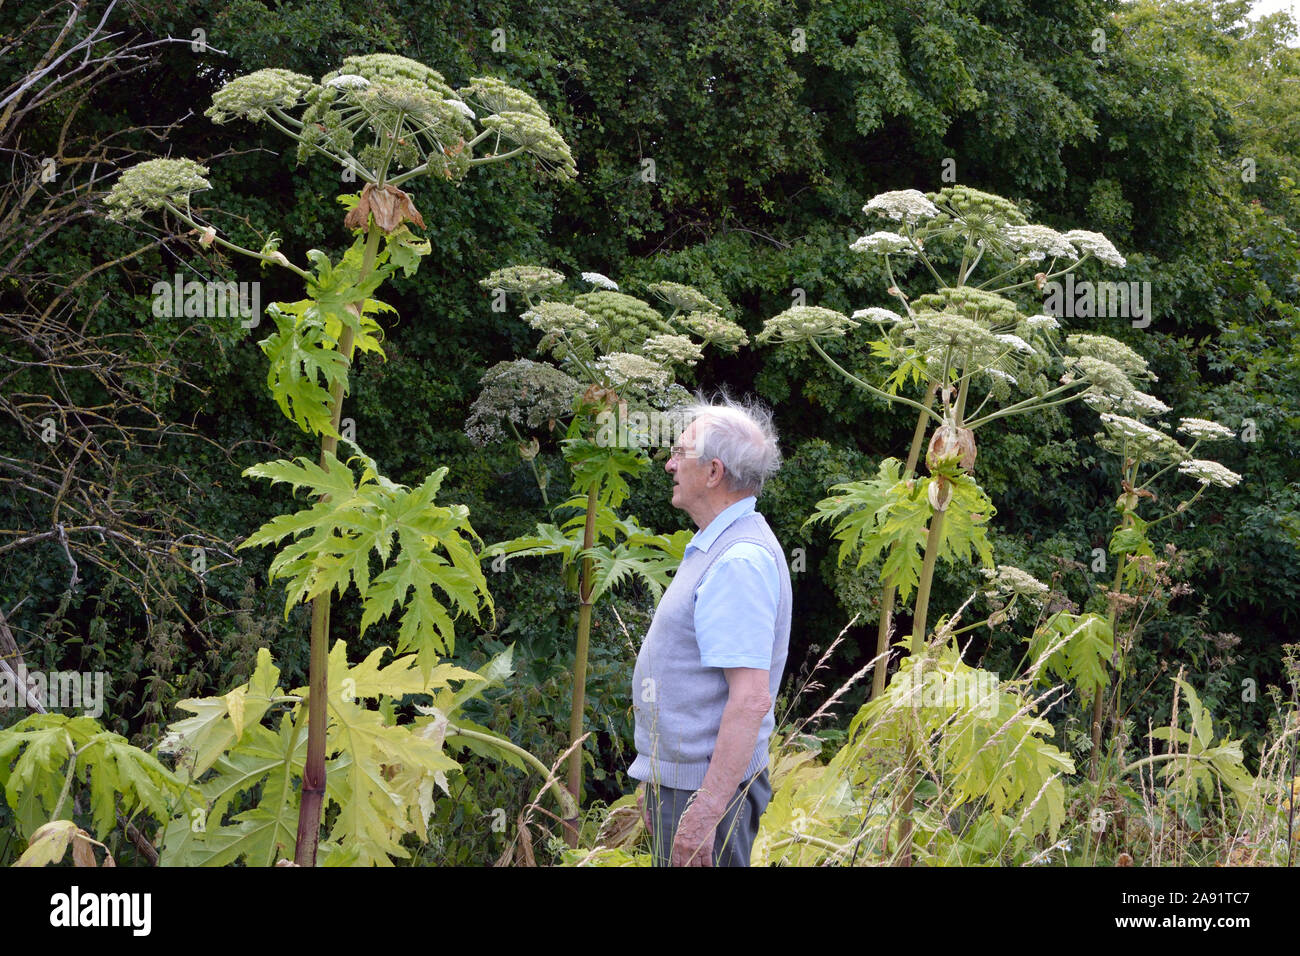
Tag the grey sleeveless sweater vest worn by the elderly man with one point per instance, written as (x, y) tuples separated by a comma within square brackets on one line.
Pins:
[(679, 703)]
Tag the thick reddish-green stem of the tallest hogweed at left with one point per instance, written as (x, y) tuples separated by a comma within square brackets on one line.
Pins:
[(318, 713)]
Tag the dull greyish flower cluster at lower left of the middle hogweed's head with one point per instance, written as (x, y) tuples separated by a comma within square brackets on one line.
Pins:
[(519, 393)]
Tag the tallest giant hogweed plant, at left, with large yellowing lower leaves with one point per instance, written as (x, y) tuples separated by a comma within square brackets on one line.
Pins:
[(391, 122)]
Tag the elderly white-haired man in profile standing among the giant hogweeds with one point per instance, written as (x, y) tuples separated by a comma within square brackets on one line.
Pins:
[(712, 664)]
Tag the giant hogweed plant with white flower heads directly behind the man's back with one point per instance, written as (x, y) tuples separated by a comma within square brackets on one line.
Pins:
[(965, 345)]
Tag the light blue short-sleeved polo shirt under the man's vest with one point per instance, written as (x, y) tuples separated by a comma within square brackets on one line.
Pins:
[(736, 602)]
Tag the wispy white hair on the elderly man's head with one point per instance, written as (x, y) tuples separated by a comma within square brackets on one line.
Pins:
[(738, 434)]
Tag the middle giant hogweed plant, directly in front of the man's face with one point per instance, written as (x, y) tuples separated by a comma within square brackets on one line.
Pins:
[(616, 365)]
